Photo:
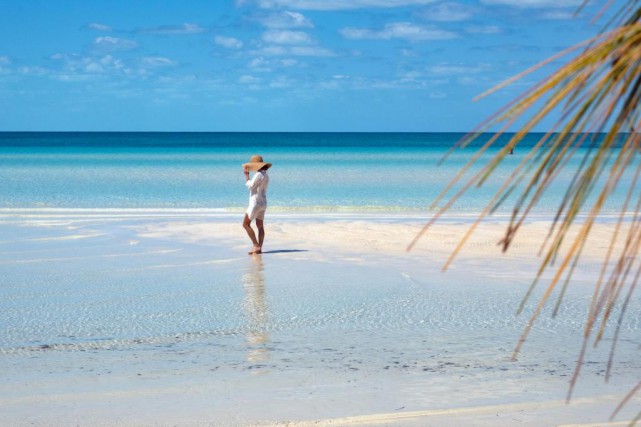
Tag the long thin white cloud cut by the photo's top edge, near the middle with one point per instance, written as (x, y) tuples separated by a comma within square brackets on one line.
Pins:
[(337, 4)]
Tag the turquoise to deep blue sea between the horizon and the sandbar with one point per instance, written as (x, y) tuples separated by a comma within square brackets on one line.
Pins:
[(320, 172)]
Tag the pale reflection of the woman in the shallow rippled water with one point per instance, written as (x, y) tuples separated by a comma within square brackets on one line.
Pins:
[(255, 309)]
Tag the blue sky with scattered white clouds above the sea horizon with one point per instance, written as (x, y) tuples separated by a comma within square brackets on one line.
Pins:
[(271, 65)]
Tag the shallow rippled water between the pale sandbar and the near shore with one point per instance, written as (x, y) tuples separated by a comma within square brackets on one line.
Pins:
[(99, 284)]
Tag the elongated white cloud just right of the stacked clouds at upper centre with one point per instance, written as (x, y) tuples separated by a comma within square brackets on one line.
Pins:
[(399, 30)]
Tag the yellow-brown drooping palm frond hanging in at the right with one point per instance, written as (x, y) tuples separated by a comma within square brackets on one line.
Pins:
[(597, 96)]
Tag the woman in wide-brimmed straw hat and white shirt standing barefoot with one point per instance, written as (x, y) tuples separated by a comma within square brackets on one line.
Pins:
[(257, 200)]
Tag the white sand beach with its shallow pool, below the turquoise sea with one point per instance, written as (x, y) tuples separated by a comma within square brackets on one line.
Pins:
[(126, 318)]
